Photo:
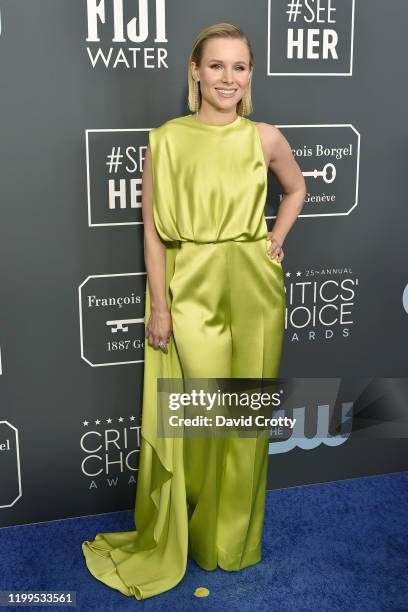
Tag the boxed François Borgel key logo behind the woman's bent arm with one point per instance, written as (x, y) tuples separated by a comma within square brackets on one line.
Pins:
[(329, 157)]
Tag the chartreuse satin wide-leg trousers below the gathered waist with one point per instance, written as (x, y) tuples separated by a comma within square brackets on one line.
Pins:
[(228, 308)]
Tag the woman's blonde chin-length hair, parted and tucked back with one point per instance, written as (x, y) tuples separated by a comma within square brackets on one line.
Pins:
[(219, 30)]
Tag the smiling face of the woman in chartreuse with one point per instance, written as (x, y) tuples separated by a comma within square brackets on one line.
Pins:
[(224, 72)]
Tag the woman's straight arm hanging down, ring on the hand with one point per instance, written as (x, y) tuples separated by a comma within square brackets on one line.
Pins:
[(159, 325)]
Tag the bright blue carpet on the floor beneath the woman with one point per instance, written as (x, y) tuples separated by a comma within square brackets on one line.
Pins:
[(327, 547)]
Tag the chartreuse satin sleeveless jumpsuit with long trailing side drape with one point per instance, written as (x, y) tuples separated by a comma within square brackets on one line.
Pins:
[(202, 498)]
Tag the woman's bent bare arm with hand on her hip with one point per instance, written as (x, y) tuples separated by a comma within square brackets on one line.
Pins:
[(287, 171)]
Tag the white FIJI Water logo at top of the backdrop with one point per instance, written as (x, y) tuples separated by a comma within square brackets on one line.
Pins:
[(121, 33)]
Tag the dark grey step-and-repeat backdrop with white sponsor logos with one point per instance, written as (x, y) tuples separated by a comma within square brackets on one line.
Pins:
[(81, 84)]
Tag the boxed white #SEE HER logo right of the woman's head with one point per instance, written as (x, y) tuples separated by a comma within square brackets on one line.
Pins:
[(310, 37)]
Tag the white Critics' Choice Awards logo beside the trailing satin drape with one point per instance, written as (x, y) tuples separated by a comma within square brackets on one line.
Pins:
[(111, 448)]
